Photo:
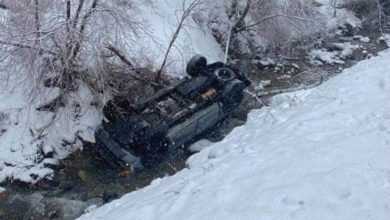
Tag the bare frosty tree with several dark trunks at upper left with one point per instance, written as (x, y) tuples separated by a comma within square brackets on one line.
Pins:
[(61, 38)]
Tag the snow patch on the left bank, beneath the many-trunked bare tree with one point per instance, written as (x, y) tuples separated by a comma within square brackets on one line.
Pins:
[(28, 136)]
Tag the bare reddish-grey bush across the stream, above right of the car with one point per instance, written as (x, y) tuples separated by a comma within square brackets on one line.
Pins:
[(277, 21)]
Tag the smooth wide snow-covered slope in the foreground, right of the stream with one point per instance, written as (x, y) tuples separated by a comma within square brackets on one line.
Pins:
[(318, 154)]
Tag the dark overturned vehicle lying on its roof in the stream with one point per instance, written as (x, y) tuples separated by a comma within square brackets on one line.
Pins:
[(173, 117)]
